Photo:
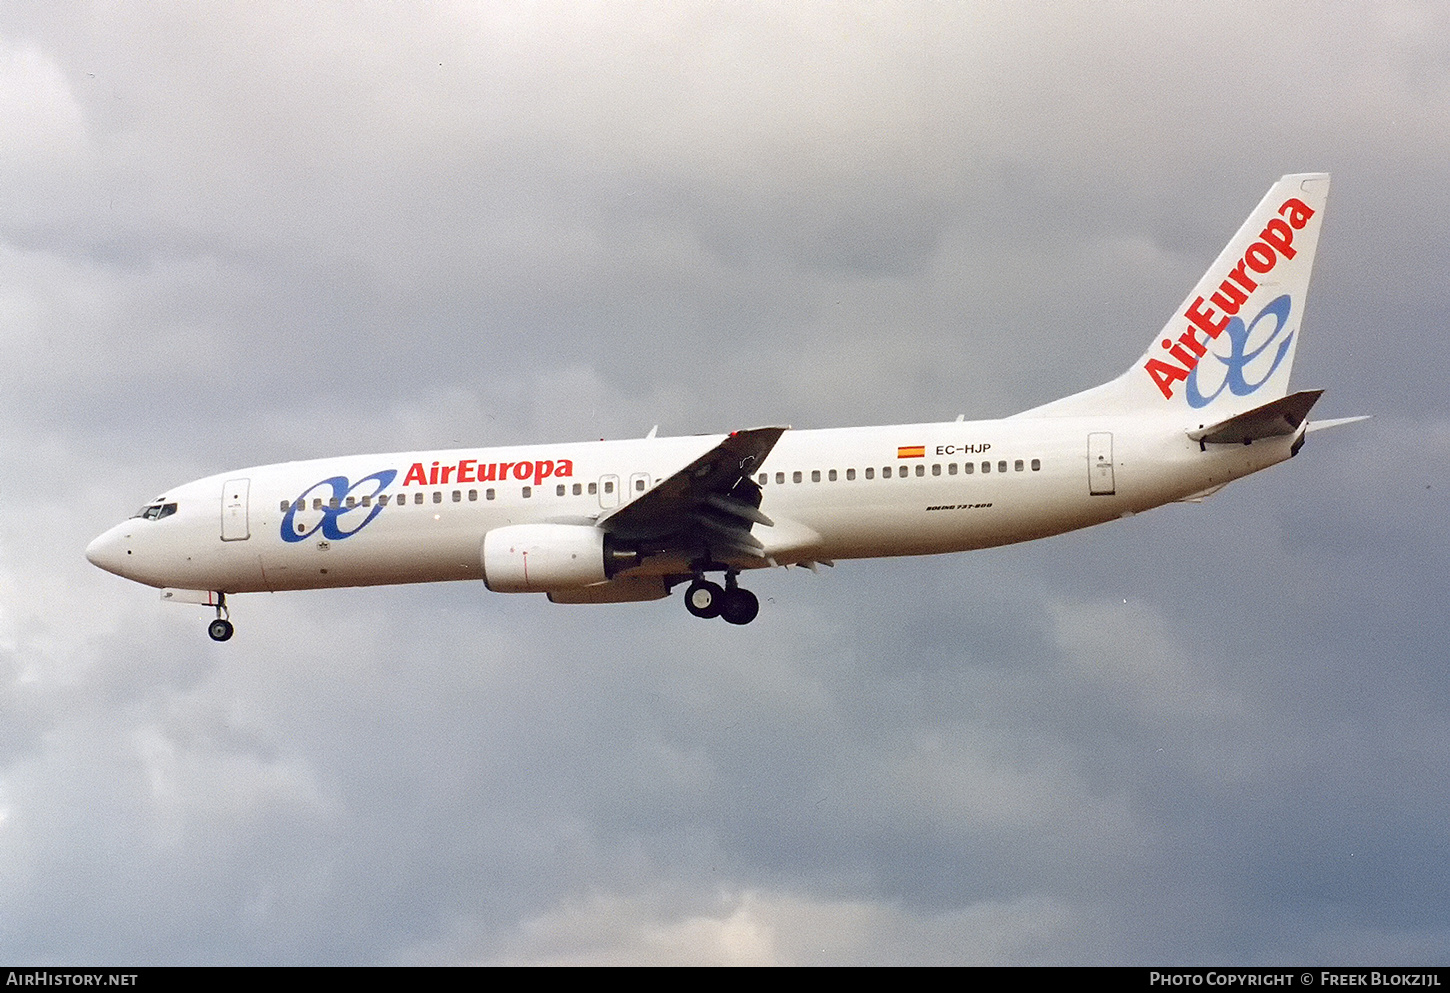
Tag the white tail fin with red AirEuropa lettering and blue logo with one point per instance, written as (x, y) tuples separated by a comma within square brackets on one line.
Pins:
[(1230, 346)]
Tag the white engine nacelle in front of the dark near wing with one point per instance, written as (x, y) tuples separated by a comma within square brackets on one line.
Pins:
[(537, 559)]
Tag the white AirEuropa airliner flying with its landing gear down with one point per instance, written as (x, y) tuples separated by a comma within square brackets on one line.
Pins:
[(629, 521)]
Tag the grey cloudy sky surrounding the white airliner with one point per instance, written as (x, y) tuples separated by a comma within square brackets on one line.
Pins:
[(239, 234)]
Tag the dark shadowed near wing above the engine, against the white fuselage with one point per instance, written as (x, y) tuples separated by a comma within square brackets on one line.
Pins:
[(710, 505)]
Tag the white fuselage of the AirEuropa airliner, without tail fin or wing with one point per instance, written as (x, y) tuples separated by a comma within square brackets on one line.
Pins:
[(833, 495)]
